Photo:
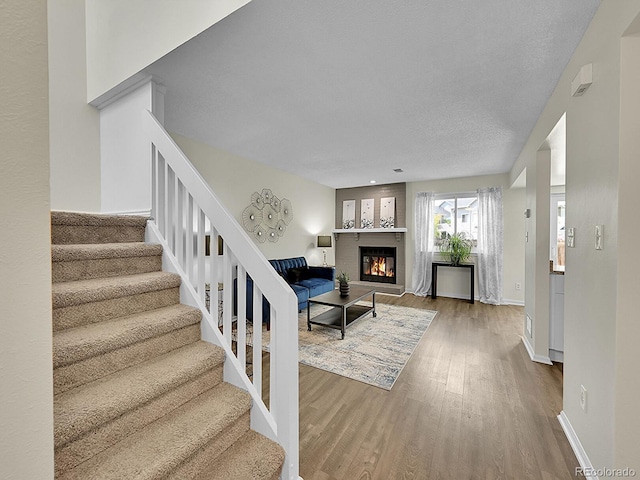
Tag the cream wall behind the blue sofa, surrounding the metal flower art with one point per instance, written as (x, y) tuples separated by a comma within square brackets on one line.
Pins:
[(234, 179)]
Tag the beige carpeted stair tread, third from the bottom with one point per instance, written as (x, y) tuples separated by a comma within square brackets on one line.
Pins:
[(86, 407)]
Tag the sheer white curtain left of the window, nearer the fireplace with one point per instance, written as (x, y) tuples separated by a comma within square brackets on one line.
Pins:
[(424, 247)]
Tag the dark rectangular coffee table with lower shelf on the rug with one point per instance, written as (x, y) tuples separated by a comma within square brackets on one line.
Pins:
[(344, 311)]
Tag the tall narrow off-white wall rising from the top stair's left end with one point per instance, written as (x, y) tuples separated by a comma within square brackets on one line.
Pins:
[(74, 125)]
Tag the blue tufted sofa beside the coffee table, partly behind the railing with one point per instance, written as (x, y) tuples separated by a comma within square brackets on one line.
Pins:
[(305, 281)]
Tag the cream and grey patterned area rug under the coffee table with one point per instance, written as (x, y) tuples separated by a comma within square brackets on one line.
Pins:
[(374, 350)]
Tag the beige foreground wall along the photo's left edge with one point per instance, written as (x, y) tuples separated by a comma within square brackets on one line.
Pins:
[(26, 385)]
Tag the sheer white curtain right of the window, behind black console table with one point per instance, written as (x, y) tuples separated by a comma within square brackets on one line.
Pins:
[(490, 245)]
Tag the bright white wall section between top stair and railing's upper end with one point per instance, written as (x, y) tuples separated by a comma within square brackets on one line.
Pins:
[(125, 154)]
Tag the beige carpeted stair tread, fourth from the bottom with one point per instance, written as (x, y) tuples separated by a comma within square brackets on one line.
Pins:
[(75, 344)]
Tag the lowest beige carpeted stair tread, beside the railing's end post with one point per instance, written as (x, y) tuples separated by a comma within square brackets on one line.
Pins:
[(253, 456)]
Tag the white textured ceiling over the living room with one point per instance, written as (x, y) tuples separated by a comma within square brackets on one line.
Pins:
[(343, 92)]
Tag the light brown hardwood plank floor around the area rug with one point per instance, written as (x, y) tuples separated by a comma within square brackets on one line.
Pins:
[(468, 404)]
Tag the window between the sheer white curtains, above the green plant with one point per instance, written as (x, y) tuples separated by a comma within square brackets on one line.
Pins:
[(455, 213)]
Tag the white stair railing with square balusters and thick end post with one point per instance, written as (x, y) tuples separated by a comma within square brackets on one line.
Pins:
[(184, 211)]
